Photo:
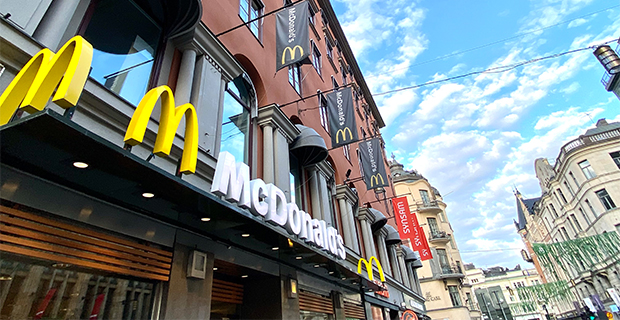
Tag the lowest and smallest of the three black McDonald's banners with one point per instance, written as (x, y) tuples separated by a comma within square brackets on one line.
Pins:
[(375, 175)]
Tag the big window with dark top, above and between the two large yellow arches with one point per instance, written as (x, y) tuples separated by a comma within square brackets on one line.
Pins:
[(123, 63)]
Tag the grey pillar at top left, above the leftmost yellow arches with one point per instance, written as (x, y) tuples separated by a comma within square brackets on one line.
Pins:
[(55, 22)]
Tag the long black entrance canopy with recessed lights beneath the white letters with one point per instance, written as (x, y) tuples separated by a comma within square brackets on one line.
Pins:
[(46, 145)]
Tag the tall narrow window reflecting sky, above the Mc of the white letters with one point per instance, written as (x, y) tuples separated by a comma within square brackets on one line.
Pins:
[(235, 136)]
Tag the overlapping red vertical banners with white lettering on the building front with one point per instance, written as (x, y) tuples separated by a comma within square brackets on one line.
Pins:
[(409, 228)]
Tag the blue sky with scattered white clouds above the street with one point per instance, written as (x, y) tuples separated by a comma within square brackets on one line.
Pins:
[(476, 138)]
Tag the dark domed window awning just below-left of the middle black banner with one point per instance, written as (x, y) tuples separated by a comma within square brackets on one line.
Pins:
[(309, 147)]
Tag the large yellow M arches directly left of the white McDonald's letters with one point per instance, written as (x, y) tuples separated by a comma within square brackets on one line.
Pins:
[(169, 121)]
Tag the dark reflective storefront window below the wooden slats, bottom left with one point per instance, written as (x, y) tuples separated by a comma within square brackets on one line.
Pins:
[(31, 291)]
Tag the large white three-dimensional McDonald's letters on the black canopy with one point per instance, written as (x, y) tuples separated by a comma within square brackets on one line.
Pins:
[(232, 180)]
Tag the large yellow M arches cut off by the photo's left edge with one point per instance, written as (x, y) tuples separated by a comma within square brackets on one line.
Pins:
[(33, 86)]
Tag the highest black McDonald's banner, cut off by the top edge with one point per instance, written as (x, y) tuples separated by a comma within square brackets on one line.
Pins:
[(292, 38)]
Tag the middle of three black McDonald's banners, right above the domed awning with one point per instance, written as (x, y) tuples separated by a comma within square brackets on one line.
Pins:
[(341, 117)]
